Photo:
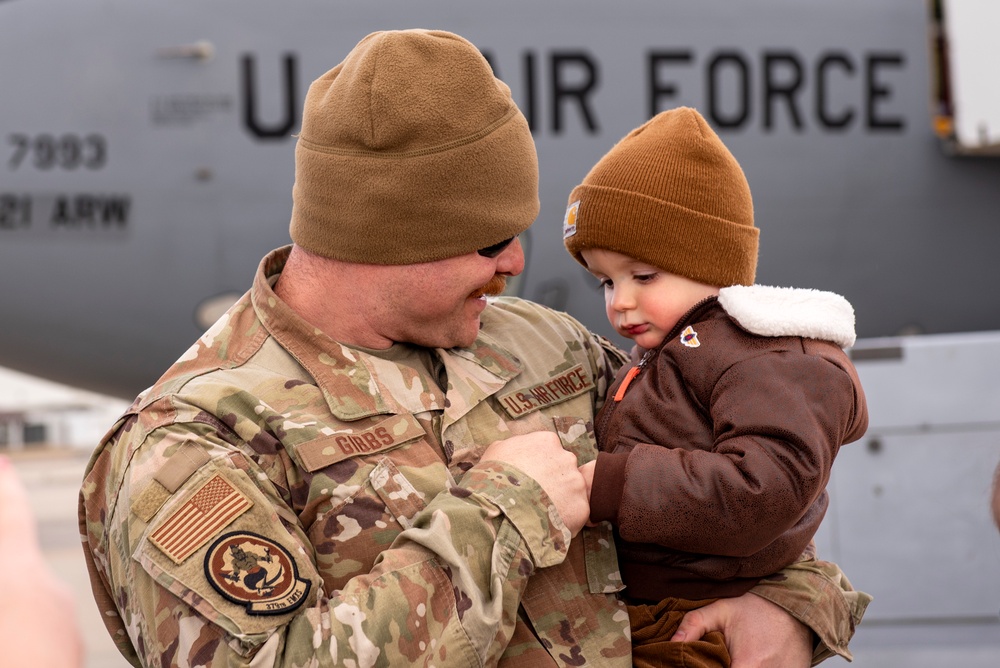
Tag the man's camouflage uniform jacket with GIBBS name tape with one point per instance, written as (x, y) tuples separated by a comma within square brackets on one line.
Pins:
[(279, 499)]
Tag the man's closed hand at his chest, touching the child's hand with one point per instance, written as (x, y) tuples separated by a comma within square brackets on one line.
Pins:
[(540, 454)]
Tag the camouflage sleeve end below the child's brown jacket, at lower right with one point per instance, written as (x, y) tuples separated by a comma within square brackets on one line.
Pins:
[(819, 595)]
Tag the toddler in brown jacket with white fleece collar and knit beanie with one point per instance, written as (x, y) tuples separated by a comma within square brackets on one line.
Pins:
[(715, 445)]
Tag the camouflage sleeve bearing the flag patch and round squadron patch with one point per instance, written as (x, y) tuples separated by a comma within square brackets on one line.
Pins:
[(248, 591)]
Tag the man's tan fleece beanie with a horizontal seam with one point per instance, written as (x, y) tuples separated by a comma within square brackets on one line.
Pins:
[(411, 151)]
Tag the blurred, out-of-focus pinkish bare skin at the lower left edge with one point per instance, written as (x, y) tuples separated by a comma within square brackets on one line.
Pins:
[(37, 618)]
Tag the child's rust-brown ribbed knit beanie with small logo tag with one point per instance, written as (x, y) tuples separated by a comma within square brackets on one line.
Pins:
[(669, 194)]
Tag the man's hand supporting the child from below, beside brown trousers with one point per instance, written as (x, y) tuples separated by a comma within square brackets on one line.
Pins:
[(758, 632)]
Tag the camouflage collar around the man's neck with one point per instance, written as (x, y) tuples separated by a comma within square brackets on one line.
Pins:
[(352, 381)]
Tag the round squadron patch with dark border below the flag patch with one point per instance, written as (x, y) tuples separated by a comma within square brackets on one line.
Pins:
[(255, 572)]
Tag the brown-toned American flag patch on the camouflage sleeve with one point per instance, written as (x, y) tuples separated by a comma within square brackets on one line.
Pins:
[(213, 507)]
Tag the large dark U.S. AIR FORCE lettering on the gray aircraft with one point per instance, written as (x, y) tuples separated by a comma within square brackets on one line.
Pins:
[(833, 90)]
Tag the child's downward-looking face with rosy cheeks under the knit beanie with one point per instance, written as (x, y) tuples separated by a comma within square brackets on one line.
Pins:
[(643, 302)]
